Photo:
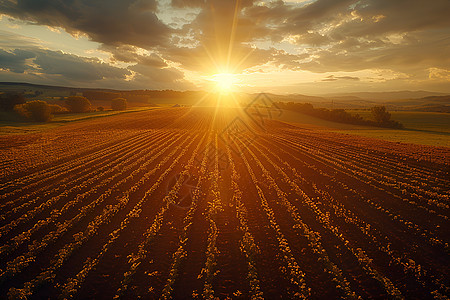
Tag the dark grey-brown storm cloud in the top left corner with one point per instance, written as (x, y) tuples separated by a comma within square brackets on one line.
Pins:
[(114, 22)]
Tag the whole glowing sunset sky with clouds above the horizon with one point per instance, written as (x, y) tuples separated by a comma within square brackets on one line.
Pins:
[(305, 46)]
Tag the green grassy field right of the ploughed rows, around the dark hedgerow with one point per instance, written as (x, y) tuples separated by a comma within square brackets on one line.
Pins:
[(422, 128)]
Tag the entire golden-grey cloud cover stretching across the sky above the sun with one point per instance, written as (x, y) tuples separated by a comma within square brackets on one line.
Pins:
[(321, 36)]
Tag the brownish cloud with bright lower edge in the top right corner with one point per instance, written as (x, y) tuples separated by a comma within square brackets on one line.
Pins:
[(340, 19)]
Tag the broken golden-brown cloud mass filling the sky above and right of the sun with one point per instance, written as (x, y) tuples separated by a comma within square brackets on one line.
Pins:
[(336, 35)]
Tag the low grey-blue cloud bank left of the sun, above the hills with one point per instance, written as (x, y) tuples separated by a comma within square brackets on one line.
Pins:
[(39, 64)]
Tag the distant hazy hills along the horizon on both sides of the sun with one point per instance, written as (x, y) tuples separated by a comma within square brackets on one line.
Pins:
[(401, 100)]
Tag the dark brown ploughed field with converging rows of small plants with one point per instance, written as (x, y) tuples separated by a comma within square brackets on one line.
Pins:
[(205, 203)]
